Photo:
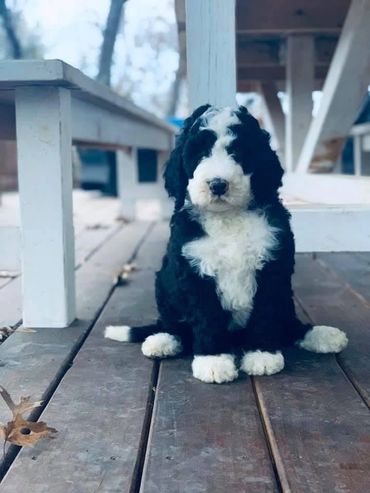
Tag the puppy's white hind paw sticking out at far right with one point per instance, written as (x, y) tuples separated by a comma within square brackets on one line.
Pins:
[(324, 339)]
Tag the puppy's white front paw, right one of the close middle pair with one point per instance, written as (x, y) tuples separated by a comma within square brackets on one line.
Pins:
[(262, 362)]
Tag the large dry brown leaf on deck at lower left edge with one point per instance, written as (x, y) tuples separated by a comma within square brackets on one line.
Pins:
[(21, 431)]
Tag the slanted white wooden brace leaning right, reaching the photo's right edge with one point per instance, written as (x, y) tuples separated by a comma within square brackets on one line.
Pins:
[(344, 89)]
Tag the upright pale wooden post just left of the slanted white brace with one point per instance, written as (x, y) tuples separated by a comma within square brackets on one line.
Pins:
[(299, 87)]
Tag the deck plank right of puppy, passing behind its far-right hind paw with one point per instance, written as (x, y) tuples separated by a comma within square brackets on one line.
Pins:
[(329, 301)]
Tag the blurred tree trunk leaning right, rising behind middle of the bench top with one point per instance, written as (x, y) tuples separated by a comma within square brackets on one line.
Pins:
[(109, 39)]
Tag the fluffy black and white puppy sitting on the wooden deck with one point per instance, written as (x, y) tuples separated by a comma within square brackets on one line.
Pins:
[(224, 290)]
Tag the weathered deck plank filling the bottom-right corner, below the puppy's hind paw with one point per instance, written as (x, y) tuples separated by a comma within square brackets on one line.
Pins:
[(318, 424)]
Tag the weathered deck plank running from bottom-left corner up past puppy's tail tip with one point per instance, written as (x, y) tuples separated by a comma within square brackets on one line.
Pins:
[(101, 404)]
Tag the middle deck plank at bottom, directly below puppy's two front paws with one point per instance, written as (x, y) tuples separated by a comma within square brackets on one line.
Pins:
[(205, 437)]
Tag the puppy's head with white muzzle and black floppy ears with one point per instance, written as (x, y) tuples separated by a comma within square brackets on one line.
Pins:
[(222, 161)]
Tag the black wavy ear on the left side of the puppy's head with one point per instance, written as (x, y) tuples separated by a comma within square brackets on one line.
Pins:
[(175, 178)]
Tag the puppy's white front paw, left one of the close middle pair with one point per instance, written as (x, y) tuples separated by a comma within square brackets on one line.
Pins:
[(215, 369)]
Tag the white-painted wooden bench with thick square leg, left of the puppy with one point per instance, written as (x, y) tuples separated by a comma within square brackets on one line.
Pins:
[(45, 106)]
